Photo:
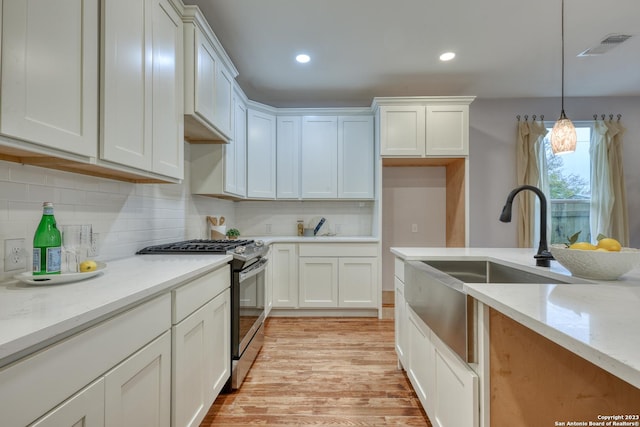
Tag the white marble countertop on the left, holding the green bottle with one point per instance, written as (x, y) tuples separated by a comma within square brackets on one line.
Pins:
[(32, 317)]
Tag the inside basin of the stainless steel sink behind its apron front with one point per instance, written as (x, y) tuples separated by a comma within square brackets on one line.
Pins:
[(489, 272)]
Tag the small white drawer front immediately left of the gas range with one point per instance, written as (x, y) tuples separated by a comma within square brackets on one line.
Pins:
[(195, 294)]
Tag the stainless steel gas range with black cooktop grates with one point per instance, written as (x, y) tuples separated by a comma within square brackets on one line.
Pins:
[(247, 294)]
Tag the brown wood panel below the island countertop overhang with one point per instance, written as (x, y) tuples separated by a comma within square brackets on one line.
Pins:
[(535, 382)]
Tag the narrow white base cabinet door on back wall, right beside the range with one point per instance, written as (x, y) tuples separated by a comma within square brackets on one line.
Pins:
[(284, 264)]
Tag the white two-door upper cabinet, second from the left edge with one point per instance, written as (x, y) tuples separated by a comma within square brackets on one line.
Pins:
[(142, 86)]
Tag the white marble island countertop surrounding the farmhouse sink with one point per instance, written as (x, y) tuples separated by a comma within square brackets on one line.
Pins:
[(599, 321)]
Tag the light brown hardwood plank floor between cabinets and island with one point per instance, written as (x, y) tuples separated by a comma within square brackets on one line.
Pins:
[(322, 372)]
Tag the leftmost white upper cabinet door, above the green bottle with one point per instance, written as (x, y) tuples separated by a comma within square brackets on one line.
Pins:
[(57, 108)]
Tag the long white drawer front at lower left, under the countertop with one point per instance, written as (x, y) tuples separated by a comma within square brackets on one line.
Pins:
[(34, 385)]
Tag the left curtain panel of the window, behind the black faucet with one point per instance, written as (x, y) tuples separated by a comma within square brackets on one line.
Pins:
[(531, 167)]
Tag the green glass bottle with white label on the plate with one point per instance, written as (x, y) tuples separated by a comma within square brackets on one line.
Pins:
[(47, 244)]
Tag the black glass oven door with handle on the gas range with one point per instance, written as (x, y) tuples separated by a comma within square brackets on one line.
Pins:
[(247, 305)]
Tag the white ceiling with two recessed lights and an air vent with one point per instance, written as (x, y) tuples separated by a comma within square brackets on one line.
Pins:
[(365, 48)]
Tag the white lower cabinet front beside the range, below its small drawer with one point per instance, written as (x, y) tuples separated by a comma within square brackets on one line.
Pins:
[(201, 360)]
